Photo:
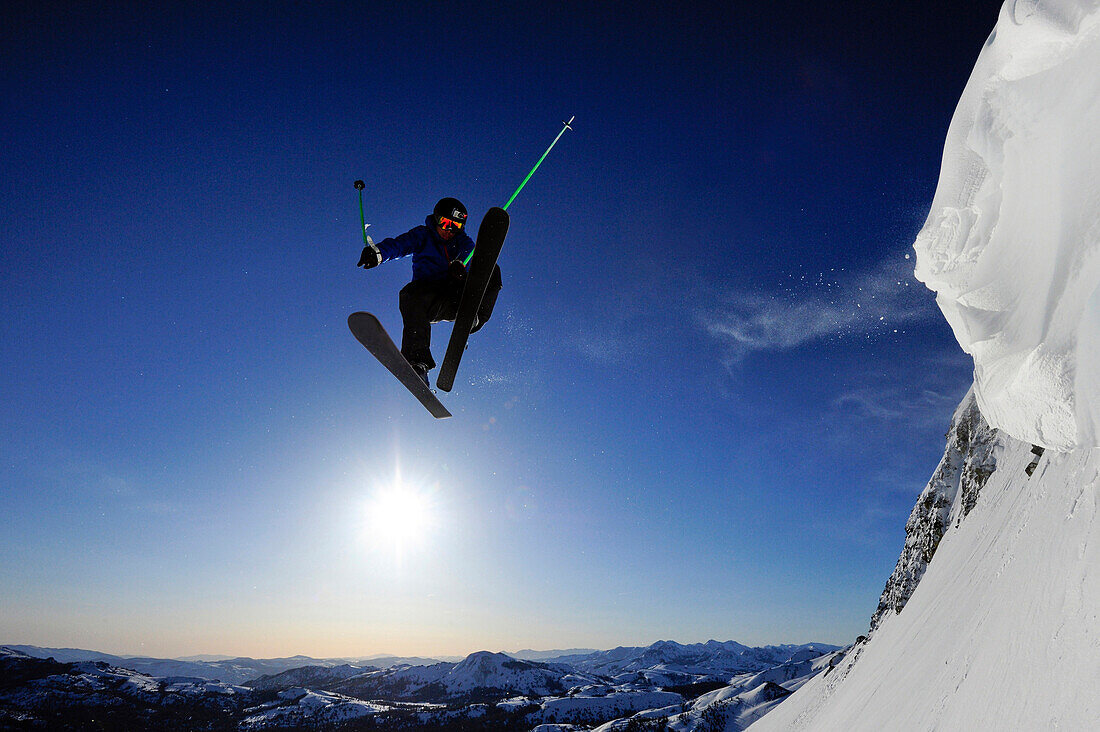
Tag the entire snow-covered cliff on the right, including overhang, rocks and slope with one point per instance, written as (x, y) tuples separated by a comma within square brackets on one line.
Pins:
[(992, 619)]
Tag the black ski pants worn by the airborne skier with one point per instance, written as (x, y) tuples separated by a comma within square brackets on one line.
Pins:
[(434, 301)]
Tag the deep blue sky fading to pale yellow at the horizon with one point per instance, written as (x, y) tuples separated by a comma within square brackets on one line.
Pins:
[(705, 408)]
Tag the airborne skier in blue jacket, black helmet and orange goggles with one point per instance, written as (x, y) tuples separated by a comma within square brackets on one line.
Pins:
[(438, 249)]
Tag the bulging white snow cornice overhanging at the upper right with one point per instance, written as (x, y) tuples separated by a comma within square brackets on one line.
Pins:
[(1013, 242)]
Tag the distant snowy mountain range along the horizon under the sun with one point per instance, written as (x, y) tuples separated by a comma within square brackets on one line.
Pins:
[(492, 691)]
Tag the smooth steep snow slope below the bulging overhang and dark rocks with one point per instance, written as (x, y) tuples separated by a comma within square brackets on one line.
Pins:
[(1004, 630)]
